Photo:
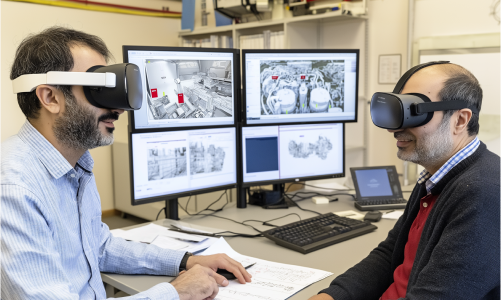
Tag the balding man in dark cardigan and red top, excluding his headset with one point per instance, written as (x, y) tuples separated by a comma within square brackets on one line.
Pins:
[(447, 244)]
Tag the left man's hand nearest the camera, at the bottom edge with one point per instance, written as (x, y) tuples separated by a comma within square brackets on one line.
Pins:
[(198, 283)]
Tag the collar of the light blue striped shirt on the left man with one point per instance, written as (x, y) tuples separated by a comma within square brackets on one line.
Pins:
[(51, 158)]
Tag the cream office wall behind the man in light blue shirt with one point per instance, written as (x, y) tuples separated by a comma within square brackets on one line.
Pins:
[(17, 20)]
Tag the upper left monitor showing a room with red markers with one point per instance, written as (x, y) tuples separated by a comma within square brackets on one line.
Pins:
[(185, 87)]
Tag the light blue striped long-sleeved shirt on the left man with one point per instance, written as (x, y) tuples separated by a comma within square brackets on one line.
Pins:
[(53, 244)]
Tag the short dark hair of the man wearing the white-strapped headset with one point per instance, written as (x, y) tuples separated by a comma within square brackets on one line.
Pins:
[(50, 50)]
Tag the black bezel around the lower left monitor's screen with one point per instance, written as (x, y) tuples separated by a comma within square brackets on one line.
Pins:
[(191, 192)]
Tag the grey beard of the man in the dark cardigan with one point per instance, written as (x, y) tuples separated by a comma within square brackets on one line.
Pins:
[(430, 149)]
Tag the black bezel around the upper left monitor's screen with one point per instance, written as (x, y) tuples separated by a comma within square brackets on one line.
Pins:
[(236, 85)]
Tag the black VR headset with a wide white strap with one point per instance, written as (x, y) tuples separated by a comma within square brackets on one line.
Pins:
[(115, 86)]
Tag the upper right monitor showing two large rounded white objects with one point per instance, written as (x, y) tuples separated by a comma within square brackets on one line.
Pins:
[(300, 86)]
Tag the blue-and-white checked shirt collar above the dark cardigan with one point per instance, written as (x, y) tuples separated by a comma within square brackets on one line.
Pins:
[(431, 181)]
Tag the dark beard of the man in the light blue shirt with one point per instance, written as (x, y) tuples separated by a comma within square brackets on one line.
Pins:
[(78, 128)]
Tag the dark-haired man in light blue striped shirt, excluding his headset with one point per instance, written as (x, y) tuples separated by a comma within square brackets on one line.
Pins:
[(53, 244)]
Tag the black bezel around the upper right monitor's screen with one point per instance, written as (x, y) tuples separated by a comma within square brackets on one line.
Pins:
[(312, 51)]
